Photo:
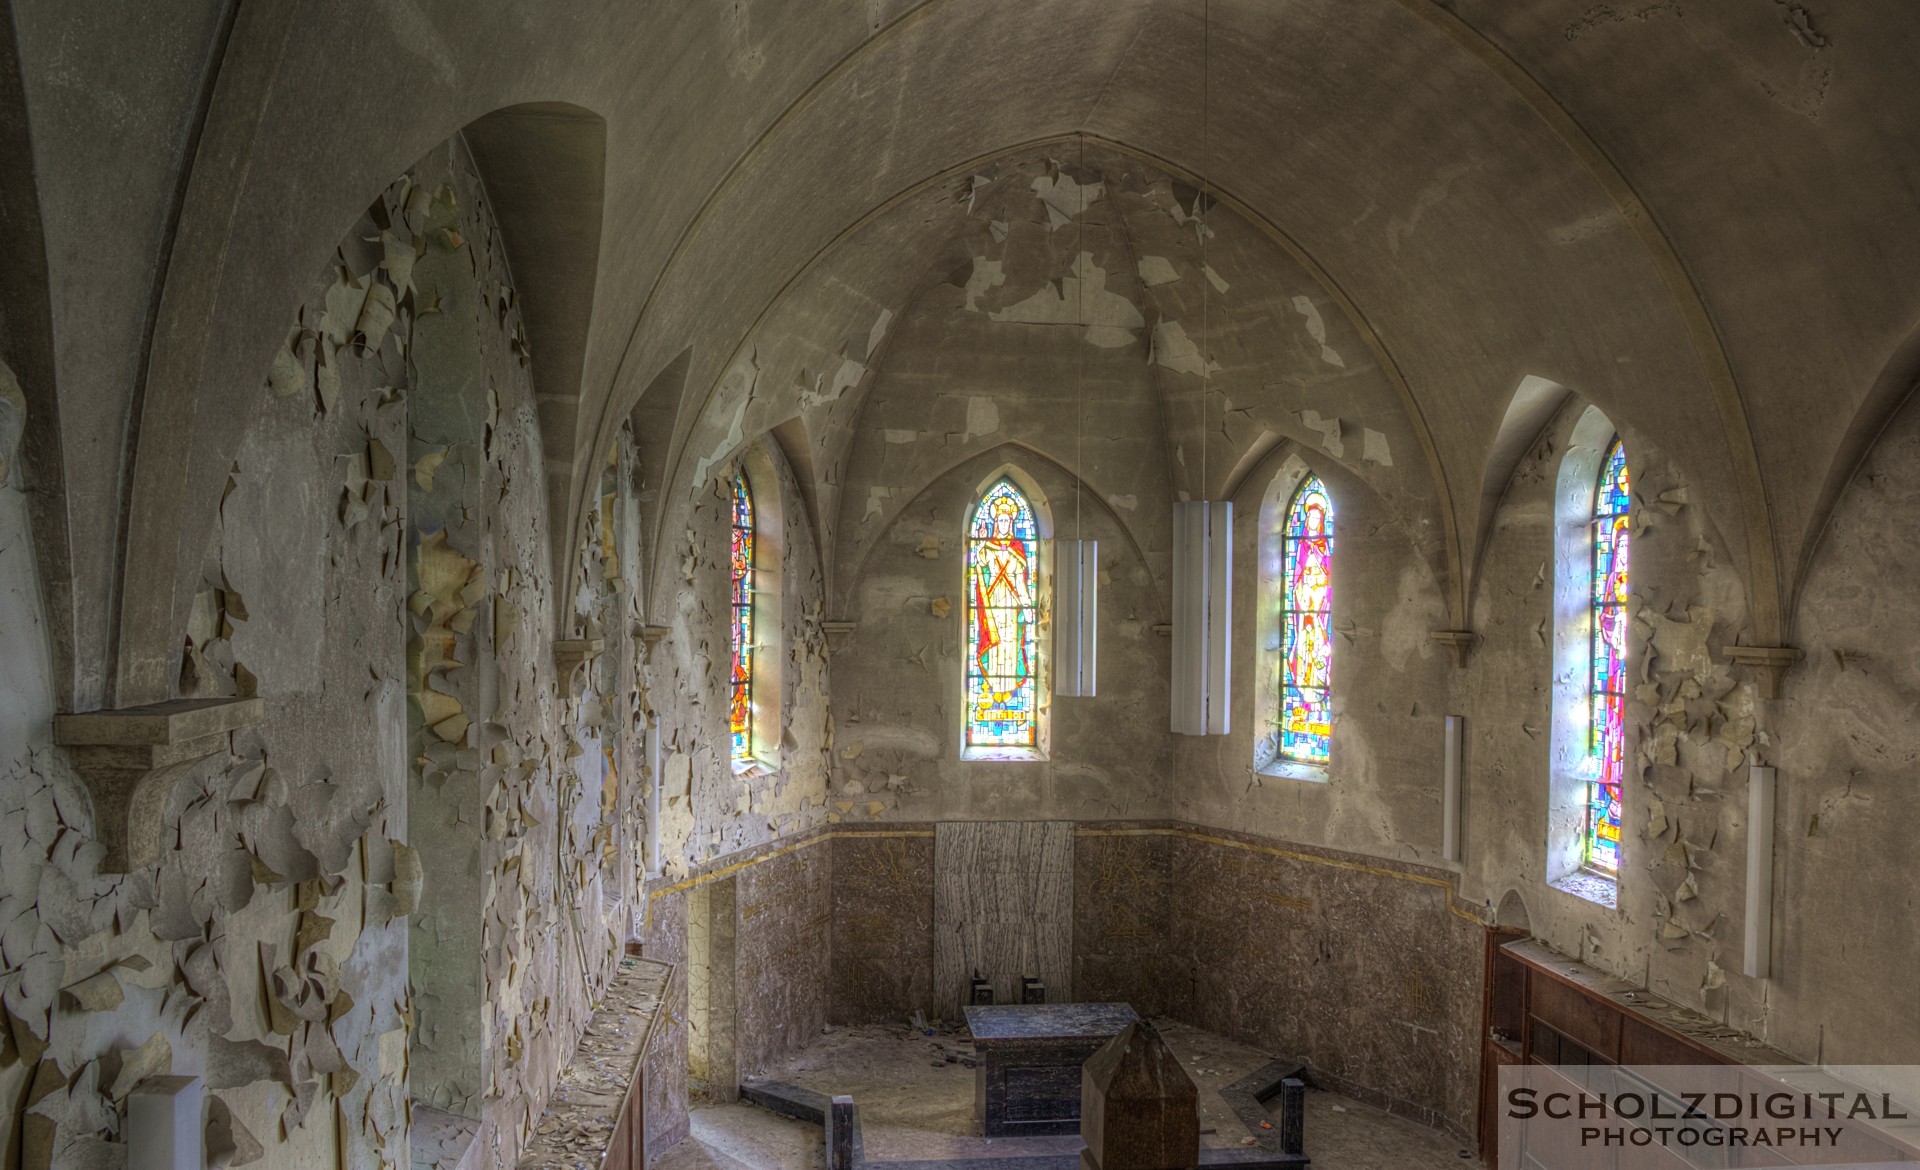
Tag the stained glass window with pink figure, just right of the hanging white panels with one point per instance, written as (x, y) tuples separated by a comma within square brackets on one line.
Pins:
[(1307, 627)]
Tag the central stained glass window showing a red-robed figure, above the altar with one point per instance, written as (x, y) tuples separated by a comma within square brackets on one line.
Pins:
[(1003, 618)]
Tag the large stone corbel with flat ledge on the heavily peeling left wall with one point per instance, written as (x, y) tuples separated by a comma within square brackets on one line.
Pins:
[(133, 758)]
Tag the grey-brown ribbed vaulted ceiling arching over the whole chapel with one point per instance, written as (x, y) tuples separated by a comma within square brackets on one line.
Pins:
[(1696, 214)]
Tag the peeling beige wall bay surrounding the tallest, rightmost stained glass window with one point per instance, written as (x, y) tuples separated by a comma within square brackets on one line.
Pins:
[(1692, 723)]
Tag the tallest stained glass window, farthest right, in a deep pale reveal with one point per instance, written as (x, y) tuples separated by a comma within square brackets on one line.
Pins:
[(1608, 679)]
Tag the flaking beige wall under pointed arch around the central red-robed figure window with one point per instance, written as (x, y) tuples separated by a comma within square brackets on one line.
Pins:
[(898, 679)]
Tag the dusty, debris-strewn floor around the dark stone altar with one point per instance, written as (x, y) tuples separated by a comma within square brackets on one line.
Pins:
[(917, 1102)]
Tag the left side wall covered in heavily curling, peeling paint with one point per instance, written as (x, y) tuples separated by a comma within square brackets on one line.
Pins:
[(379, 552)]
